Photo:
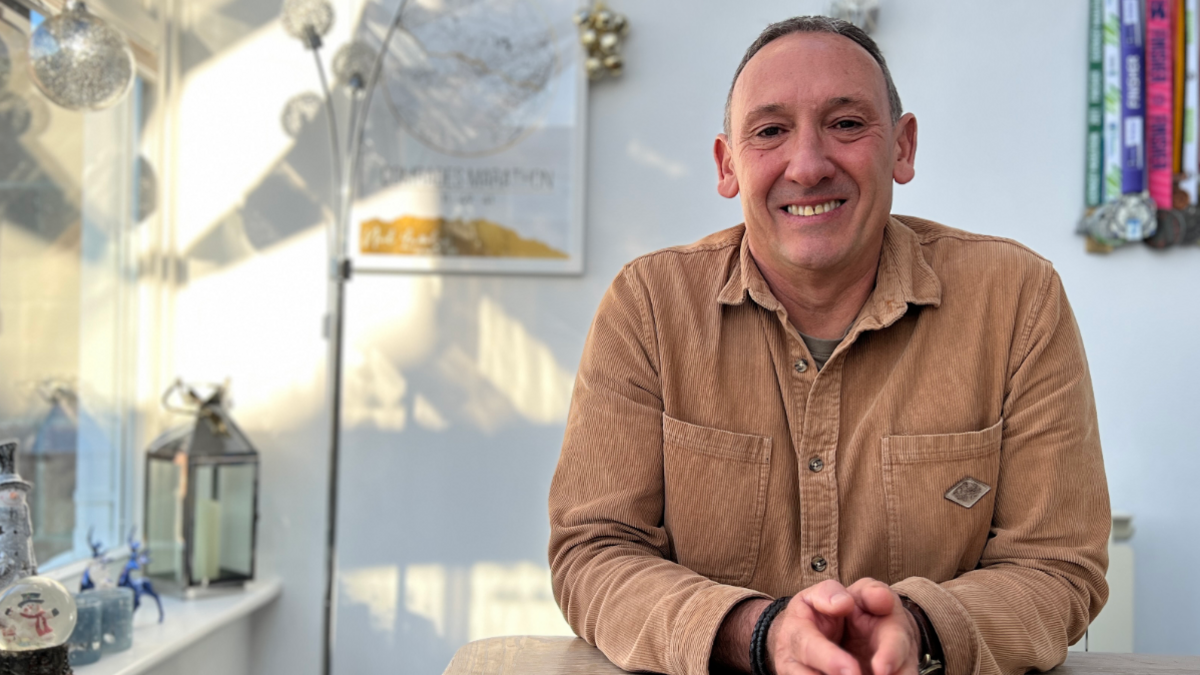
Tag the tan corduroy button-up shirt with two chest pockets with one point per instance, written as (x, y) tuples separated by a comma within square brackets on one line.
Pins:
[(706, 461)]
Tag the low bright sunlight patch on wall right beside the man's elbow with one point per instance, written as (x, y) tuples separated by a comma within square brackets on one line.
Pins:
[(513, 600)]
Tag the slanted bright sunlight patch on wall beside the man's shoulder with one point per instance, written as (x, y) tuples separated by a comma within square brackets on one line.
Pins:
[(523, 367)]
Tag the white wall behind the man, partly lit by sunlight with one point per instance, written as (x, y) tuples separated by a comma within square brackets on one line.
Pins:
[(447, 467)]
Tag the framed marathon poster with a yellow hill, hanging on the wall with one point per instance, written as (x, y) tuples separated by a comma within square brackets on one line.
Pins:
[(473, 152)]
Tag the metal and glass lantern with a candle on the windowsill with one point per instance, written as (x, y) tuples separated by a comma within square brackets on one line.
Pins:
[(202, 498)]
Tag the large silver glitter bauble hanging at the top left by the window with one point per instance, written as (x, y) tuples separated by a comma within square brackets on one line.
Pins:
[(80, 62)]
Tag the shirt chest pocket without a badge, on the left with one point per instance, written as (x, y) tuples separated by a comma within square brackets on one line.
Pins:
[(715, 499)]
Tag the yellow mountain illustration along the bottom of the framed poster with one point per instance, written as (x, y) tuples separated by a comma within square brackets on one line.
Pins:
[(412, 236)]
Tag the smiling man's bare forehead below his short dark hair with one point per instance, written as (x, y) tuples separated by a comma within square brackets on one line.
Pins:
[(833, 69)]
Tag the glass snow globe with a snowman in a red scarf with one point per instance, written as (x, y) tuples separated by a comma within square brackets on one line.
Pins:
[(35, 613)]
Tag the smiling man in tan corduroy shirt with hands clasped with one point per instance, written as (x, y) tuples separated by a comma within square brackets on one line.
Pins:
[(831, 440)]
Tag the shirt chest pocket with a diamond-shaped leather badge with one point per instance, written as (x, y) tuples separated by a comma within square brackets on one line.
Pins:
[(941, 493)]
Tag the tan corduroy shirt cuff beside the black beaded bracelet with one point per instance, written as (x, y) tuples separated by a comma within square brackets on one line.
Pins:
[(700, 618)]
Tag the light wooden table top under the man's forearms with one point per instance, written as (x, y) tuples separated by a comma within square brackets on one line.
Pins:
[(525, 655)]
